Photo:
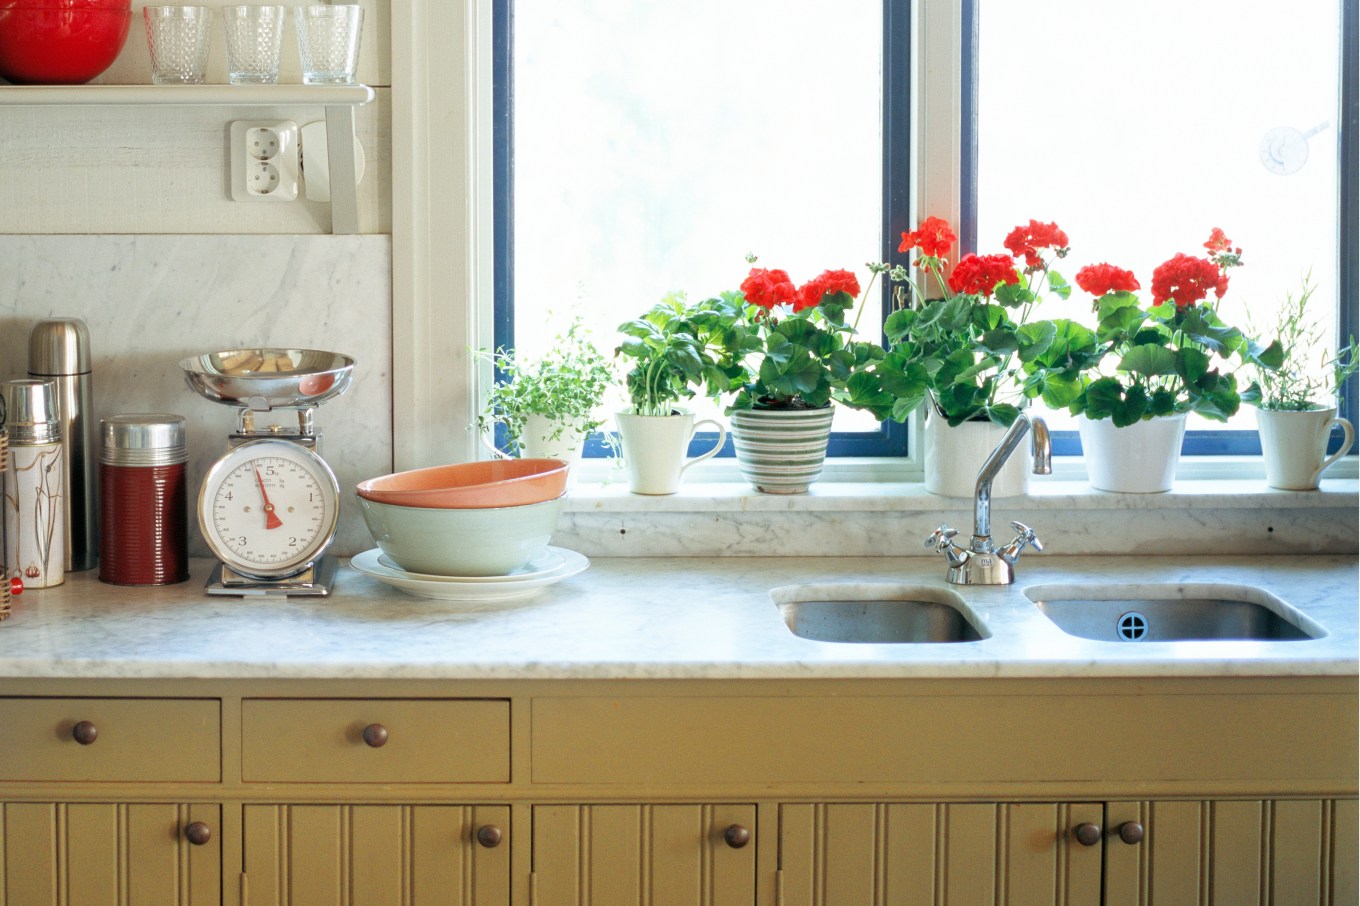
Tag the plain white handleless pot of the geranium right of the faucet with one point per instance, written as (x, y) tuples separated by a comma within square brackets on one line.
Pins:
[(1138, 459)]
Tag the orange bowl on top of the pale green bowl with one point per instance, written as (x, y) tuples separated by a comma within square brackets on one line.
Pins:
[(471, 485)]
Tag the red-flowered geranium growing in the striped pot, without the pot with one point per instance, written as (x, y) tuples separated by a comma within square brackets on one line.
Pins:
[(792, 348)]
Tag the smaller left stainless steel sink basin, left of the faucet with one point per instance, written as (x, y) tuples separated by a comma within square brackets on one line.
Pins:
[(877, 614)]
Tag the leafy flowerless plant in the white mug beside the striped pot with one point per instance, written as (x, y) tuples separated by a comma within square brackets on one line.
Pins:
[(671, 357)]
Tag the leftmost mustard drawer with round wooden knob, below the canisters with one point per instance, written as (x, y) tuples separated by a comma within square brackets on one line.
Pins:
[(172, 741)]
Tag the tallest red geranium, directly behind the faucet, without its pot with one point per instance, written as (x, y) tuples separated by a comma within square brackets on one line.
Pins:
[(961, 335)]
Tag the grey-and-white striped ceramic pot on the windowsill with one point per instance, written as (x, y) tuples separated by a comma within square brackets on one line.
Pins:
[(781, 452)]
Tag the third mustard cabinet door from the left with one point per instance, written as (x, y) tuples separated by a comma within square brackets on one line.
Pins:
[(659, 855)]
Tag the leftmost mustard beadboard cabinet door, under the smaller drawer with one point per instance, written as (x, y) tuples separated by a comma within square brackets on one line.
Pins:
[(108, 854)]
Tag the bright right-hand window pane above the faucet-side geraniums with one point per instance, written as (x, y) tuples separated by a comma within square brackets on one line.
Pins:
[(1140, 127)]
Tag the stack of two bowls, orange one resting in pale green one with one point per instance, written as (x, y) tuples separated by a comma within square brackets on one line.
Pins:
[(466, 520)]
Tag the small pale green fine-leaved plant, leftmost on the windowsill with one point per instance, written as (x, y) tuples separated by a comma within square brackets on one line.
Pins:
[(568, 386)]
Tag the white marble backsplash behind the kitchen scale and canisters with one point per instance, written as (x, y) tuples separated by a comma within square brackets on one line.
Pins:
[(153, 300)]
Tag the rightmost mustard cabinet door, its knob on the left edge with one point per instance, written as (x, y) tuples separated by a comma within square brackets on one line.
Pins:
[(1279, 852)]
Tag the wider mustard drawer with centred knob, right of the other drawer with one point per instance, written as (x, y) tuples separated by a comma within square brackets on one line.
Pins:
[(376, 741)]
